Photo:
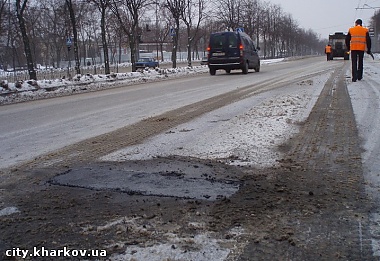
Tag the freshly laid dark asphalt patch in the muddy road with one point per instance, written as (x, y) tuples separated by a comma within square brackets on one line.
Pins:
[(189, 179)]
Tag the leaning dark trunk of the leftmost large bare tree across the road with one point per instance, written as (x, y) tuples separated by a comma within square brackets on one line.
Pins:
[(20, 11)]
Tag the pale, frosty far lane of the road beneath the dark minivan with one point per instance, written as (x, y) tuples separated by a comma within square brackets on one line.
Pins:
[(47, 125)]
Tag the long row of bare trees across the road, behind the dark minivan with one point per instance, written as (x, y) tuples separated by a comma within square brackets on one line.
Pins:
[(36, 32)]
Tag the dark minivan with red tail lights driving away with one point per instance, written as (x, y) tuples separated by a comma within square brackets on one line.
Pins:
[(232, 51)]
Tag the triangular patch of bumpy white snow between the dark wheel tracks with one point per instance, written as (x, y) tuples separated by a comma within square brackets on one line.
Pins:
[(244, 133)]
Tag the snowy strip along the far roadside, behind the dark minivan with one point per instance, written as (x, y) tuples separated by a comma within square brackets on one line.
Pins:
[(42, 89)]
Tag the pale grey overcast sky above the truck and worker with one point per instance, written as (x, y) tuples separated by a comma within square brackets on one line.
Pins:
[(328, 16)]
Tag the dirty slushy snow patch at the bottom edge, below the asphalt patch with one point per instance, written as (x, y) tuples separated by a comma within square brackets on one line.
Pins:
[(201, 246)]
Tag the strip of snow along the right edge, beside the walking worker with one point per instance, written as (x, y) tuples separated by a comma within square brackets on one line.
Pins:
[(365, 102)]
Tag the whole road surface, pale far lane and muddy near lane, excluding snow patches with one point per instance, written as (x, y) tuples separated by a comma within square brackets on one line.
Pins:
[(313, 206)]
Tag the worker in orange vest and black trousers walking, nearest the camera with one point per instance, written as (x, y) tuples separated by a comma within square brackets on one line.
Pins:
[(358, 40)]
